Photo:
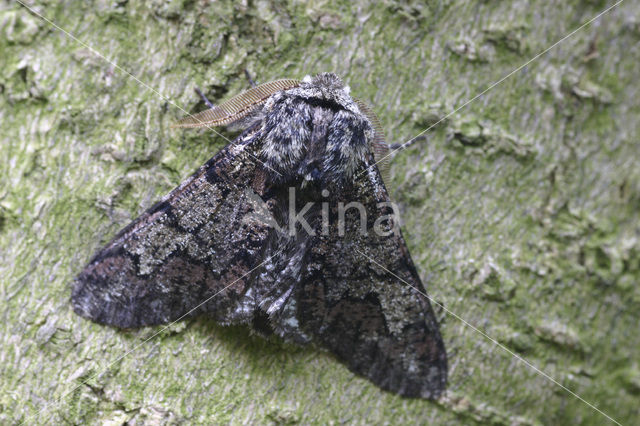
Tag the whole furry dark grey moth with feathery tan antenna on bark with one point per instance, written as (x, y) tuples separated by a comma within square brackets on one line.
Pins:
[(289, 230)]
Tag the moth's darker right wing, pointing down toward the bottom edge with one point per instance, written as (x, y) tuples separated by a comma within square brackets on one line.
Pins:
[(375, 323)]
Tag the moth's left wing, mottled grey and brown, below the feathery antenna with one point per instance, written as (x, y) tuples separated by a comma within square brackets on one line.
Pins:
[(184, 249)]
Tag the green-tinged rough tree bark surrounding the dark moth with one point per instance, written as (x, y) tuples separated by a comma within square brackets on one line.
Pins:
[(521, 211)]
